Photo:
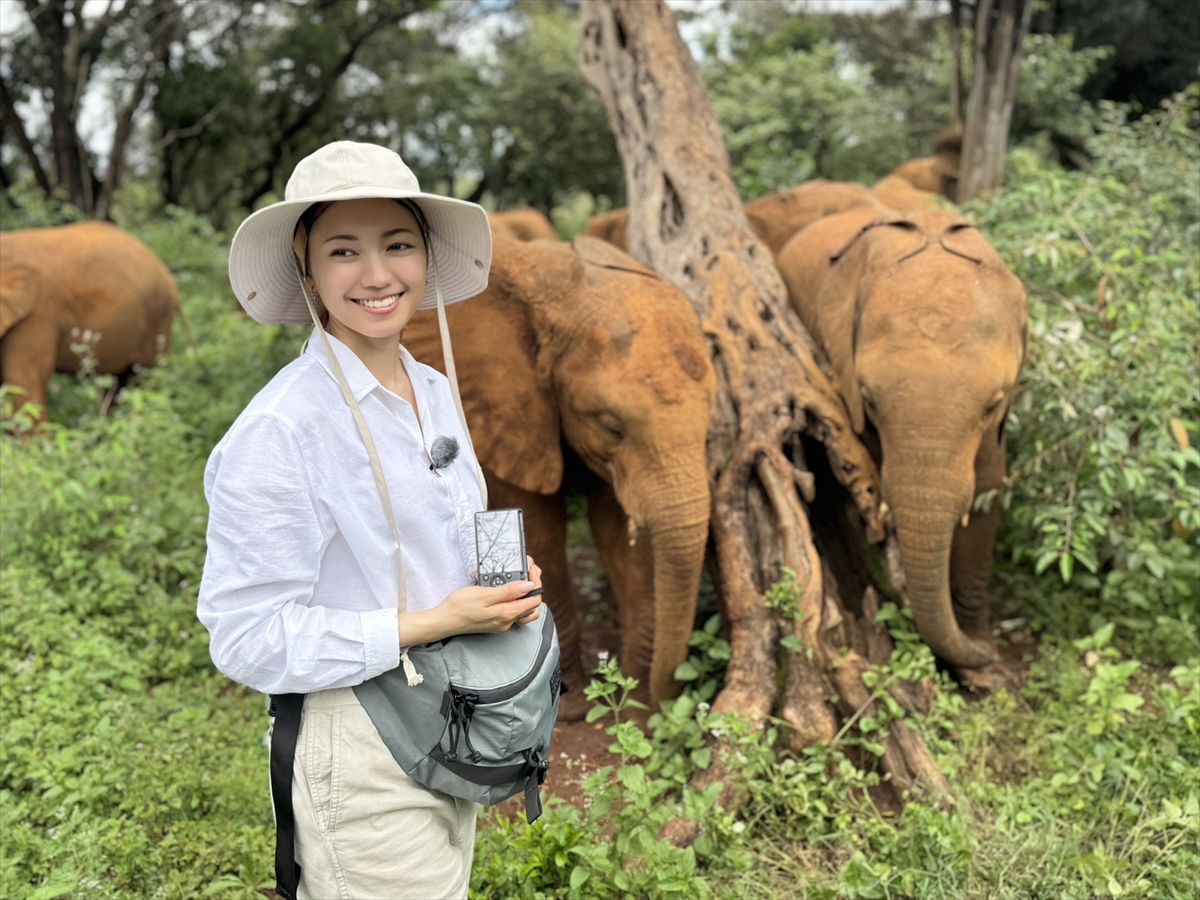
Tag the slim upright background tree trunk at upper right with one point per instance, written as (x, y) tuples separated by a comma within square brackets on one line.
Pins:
[(1000, 31)]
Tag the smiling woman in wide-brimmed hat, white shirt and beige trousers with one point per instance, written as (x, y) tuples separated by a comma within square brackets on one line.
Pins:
[(302, 584)]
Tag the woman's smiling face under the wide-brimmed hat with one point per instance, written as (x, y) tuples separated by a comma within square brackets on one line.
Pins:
[(368, 263)]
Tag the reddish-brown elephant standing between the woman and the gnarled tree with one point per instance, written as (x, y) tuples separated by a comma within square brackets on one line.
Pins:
[(583, 369)]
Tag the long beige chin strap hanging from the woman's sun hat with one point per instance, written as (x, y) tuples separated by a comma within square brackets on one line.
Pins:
[(298, 247)]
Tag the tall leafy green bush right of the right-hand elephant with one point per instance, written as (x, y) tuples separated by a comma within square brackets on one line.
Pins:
[(1105, 477)]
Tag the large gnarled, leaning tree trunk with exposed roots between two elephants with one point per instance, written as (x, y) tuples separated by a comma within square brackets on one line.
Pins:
[(686, 221)]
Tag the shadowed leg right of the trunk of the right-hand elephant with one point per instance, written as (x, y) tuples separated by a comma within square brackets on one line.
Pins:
[(971, 550)]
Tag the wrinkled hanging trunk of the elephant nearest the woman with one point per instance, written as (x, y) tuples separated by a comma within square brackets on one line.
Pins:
[(679, 538)]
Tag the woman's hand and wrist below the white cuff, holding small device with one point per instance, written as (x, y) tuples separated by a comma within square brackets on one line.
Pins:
[(475, 610)]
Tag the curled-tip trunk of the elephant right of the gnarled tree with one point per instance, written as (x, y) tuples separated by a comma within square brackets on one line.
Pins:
[(928, 507)]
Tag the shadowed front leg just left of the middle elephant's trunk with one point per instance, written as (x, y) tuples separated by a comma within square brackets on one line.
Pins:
[(632, 575)]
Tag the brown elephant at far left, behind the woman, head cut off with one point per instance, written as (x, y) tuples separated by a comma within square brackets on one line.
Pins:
[(88, 283)]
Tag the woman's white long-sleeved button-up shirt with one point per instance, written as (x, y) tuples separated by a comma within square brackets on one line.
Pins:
[(302, 583)]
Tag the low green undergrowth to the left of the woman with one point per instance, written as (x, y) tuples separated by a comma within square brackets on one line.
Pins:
[(129, 767)]
